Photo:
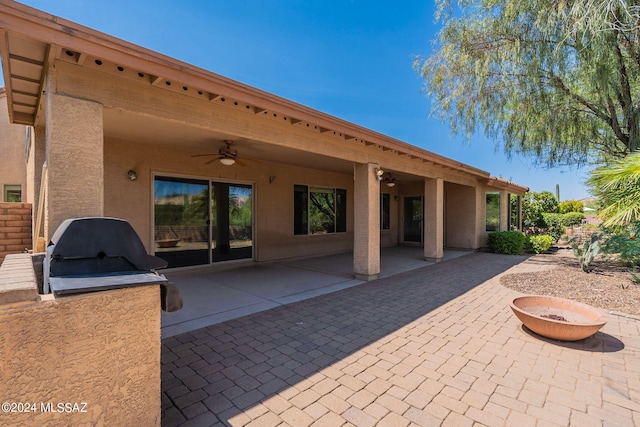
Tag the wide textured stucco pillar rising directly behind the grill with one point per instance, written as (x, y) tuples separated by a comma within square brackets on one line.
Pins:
[(75, 165)]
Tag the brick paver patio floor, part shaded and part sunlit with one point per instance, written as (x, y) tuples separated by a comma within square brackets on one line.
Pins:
[(433, 346)]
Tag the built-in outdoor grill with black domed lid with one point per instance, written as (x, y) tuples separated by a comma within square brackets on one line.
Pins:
[(96, 254)]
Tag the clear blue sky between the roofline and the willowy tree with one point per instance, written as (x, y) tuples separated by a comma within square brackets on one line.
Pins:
[(348, 58)]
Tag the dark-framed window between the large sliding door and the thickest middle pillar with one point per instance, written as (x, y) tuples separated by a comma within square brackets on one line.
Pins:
[(319, 210)]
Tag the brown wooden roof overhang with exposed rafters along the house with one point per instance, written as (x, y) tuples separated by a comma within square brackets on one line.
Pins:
[(32, 40)]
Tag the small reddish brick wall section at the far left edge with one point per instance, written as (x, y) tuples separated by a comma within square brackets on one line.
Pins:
[(15, 228)]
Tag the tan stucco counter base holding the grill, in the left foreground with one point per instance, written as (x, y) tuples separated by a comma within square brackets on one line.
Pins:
[(88, 358)]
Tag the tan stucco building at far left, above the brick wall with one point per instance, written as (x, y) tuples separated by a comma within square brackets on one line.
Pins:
[(12, 151)]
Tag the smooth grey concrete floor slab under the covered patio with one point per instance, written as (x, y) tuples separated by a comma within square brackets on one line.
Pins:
[(214, 295)]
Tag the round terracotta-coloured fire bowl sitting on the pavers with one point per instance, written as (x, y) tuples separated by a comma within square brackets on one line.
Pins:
[(558, 318)]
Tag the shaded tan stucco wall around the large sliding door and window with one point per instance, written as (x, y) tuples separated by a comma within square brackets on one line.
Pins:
[(132, 200)]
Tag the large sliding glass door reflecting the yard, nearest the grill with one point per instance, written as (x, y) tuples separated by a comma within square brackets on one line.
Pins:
[(198, 222)]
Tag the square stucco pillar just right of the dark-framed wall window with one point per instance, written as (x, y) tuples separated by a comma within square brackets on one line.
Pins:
[(366, 233)]
